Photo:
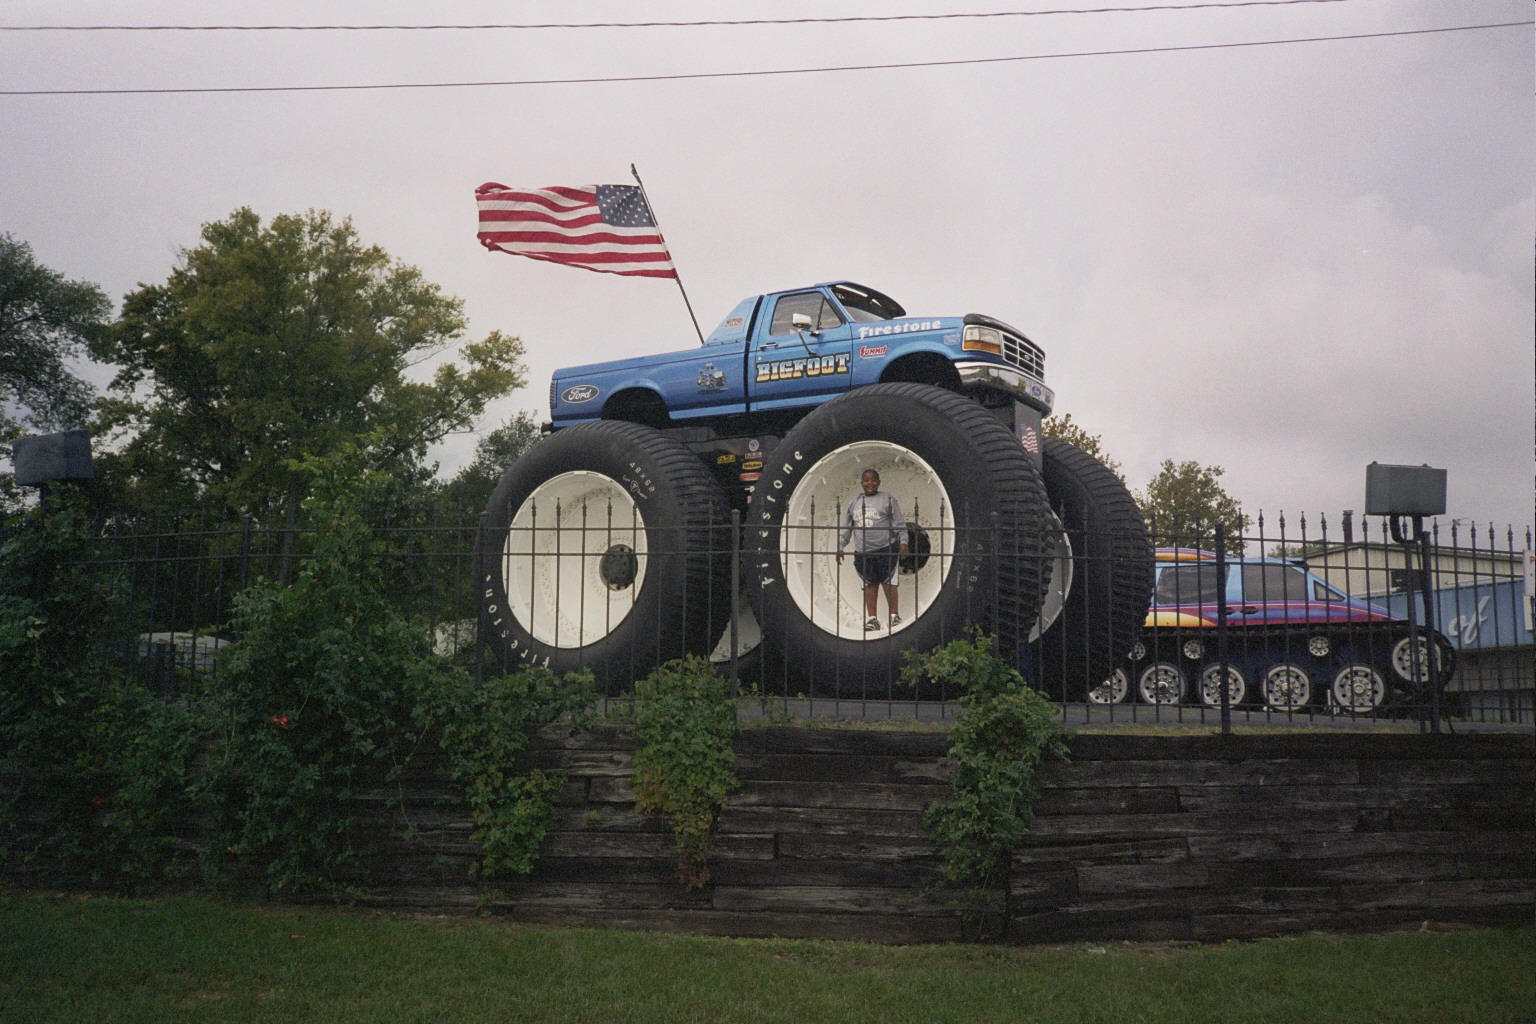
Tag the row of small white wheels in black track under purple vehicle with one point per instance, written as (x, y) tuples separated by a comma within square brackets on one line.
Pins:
[(1322, 673)]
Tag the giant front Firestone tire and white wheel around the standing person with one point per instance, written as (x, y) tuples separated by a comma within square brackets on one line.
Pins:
[(958, 472)]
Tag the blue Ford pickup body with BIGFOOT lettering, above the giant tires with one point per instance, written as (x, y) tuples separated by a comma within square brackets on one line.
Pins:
[(780, 355)]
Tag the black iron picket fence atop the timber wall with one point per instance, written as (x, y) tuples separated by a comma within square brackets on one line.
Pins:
[(1300, 619)]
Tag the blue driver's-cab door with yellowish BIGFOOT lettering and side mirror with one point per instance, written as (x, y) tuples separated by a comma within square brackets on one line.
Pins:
[(790, 368)]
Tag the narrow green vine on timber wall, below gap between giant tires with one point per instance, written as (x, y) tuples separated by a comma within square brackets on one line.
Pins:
[(686, 767)]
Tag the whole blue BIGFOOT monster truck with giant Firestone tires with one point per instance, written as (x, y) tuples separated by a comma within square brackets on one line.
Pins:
[(609, 544)]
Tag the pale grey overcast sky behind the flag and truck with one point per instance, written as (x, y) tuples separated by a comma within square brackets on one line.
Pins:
[(1283, 260)]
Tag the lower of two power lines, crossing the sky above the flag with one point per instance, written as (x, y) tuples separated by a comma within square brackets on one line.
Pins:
[(746, 74)]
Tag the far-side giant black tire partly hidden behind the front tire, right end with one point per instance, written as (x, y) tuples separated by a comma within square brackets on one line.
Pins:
[(1110, 576)]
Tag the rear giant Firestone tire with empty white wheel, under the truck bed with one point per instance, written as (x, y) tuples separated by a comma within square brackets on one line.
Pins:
[(601, 550)]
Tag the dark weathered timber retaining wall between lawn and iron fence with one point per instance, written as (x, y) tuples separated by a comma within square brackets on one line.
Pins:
[(1139, 837)]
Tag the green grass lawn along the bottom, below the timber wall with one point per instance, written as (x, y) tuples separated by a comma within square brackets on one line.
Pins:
[(102, 960)]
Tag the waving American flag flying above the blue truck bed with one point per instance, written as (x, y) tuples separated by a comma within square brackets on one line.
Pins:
[(604, 228)]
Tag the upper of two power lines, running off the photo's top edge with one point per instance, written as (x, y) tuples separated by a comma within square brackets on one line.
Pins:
[(638, 25)]
